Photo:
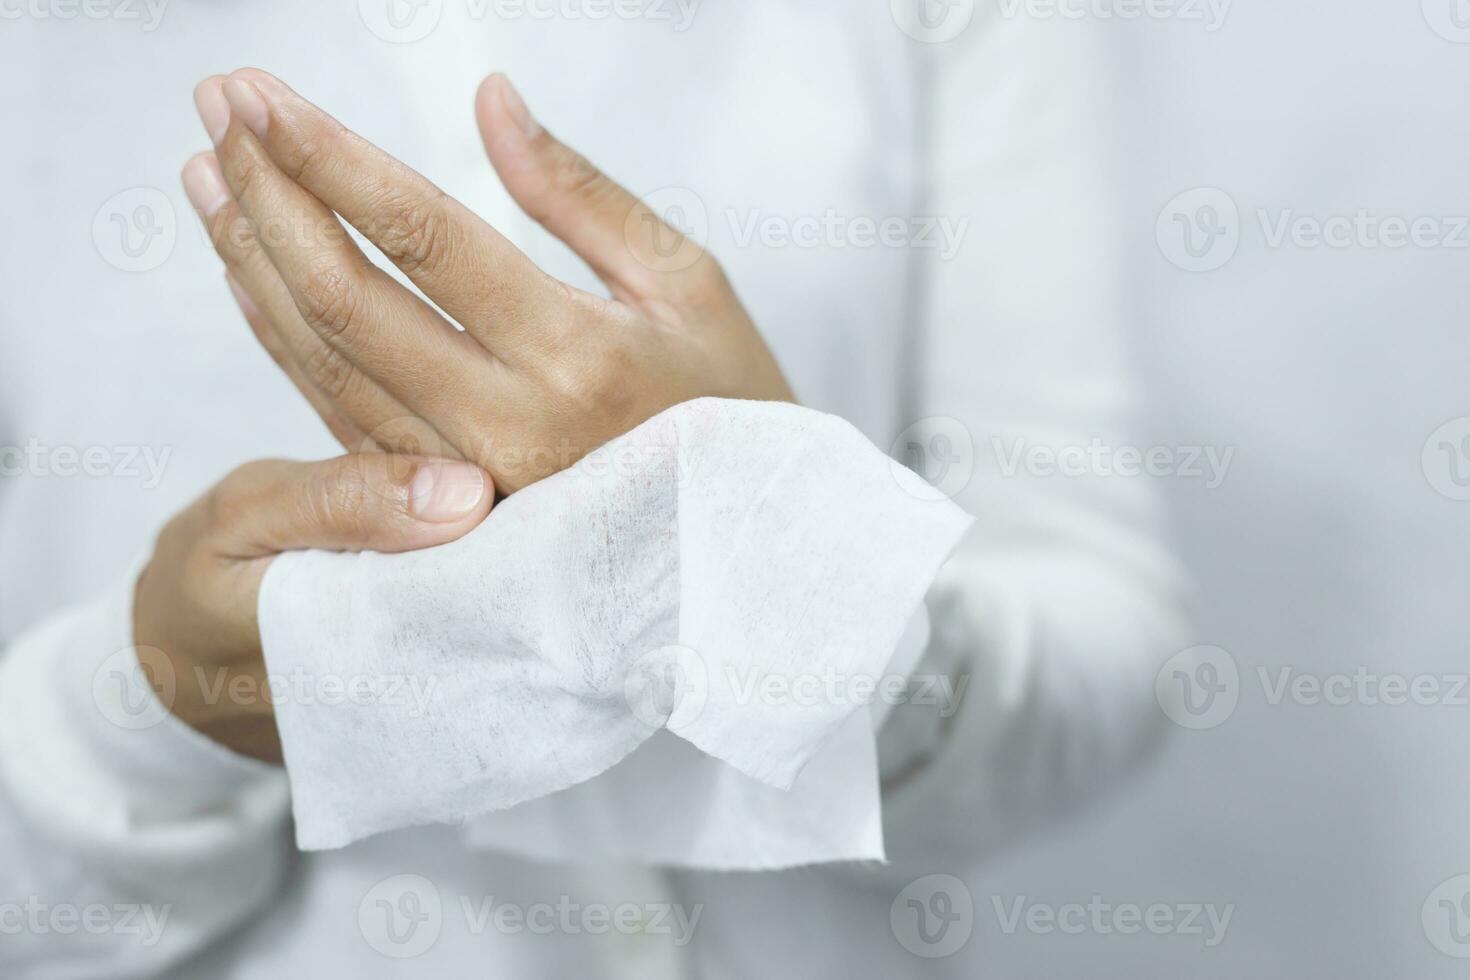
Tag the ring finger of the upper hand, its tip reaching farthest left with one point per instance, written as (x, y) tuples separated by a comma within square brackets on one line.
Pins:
[(355, 408)]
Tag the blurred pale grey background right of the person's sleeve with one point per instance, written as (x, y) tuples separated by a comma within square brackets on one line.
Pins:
[(1337, 546)]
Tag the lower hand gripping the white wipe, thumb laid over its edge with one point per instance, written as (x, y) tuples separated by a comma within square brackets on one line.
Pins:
[(196, 600)]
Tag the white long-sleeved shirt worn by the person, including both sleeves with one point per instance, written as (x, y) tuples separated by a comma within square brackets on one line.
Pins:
[(777, 120)]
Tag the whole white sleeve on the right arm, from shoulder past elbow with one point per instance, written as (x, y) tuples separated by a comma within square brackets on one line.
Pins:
[(1062, 602)]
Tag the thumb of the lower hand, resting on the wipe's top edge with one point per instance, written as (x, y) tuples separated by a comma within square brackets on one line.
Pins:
[(373, 502)]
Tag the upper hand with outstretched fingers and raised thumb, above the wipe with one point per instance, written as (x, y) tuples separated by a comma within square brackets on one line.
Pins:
[(542, 374)]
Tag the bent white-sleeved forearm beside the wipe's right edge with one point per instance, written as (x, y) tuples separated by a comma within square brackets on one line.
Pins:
[(1053, 655)]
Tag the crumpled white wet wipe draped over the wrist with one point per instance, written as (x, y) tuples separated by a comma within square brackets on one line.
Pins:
[(673, 653)]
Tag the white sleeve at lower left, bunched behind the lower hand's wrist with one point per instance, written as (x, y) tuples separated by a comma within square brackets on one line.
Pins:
[(127, 841)]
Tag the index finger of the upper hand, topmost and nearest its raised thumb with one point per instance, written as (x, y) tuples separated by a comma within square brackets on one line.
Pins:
[(470, 270)]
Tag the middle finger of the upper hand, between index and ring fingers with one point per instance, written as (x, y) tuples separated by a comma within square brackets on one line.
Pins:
[(355, 308)]
